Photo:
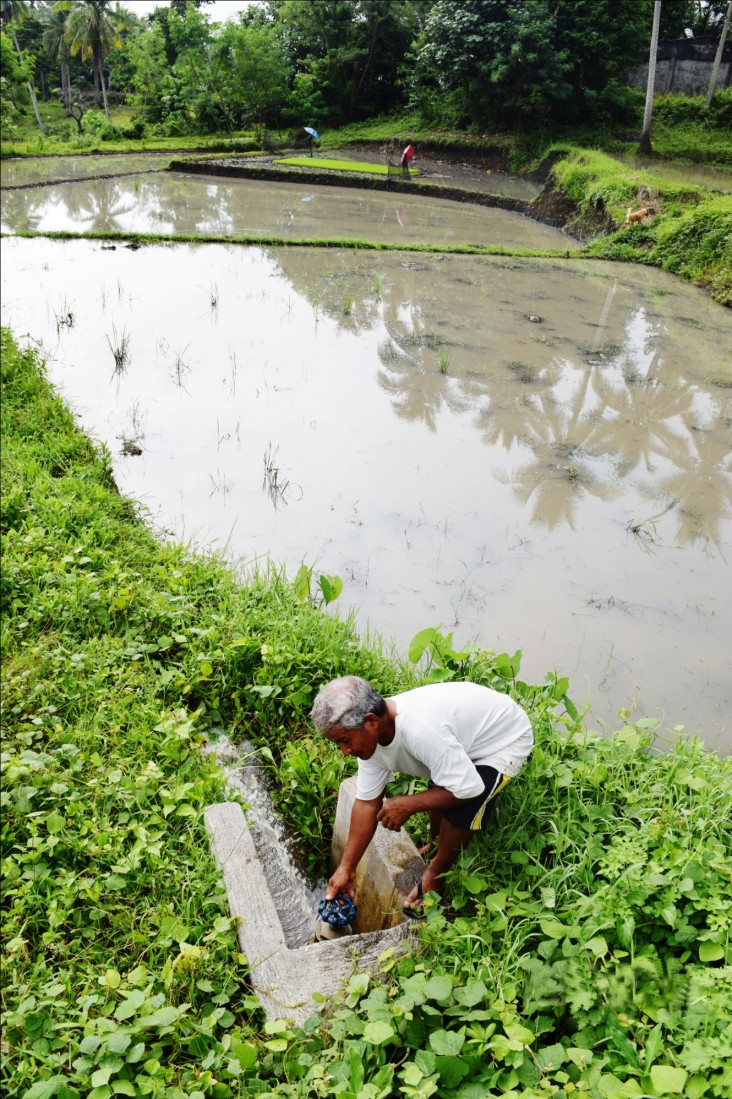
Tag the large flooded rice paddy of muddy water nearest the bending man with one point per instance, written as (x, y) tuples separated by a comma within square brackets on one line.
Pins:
[(535, 454)]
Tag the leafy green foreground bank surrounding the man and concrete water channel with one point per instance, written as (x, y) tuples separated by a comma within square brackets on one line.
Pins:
[(587, 949)]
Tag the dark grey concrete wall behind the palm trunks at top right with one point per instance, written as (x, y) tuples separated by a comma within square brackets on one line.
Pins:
[(685, 68)]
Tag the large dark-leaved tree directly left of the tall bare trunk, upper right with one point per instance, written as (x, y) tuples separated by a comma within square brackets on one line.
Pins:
[(531, 61)]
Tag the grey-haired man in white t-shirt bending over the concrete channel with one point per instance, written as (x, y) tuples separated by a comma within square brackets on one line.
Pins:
[(468, 740)]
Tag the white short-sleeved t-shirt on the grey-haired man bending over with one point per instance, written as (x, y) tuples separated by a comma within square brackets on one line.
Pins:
[(442, 731)]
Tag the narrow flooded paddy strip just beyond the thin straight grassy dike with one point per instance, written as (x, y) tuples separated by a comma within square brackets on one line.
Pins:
[(178, 204)]
